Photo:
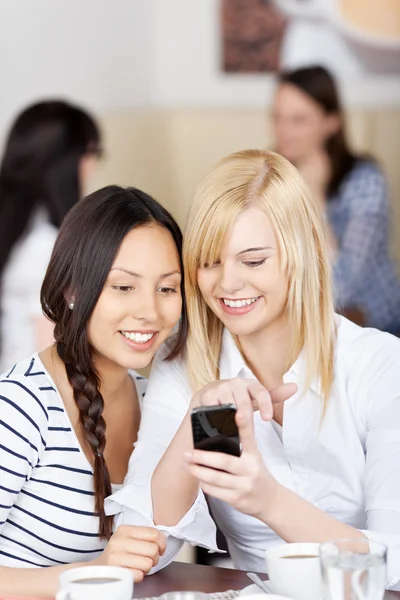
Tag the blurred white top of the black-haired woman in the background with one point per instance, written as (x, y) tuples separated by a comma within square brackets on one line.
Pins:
[(20, 288)]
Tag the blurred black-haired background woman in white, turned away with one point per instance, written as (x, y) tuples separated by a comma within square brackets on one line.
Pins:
[(50, 151)]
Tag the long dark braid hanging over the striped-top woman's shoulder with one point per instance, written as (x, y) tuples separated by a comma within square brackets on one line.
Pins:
[(85, 384)]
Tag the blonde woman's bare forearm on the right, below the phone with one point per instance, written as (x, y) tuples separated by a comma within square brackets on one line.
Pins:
[(296, 520)]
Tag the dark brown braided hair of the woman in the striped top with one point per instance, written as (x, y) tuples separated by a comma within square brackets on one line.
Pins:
[(83, 255)]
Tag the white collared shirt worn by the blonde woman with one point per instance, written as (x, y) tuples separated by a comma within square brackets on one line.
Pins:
[(349, 467)]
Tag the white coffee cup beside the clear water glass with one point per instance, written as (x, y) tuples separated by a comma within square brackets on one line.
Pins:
[(294, 570)]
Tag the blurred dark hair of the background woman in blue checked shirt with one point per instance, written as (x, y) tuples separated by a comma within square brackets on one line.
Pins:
[(319, 84)]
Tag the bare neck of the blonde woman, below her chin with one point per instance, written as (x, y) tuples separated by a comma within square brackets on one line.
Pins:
[(266, 353)]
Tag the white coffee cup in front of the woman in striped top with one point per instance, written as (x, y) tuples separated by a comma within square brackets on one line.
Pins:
[(96, 583)]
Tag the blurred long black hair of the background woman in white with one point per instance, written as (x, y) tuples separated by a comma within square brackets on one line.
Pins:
[(40, 167)]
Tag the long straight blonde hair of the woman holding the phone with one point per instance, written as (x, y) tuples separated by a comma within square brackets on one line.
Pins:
[(270, 182)]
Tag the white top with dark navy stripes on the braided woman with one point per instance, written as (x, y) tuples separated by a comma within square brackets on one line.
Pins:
[(47, 513)]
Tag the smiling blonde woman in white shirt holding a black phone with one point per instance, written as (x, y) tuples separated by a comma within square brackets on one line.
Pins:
[(324, 464)]
